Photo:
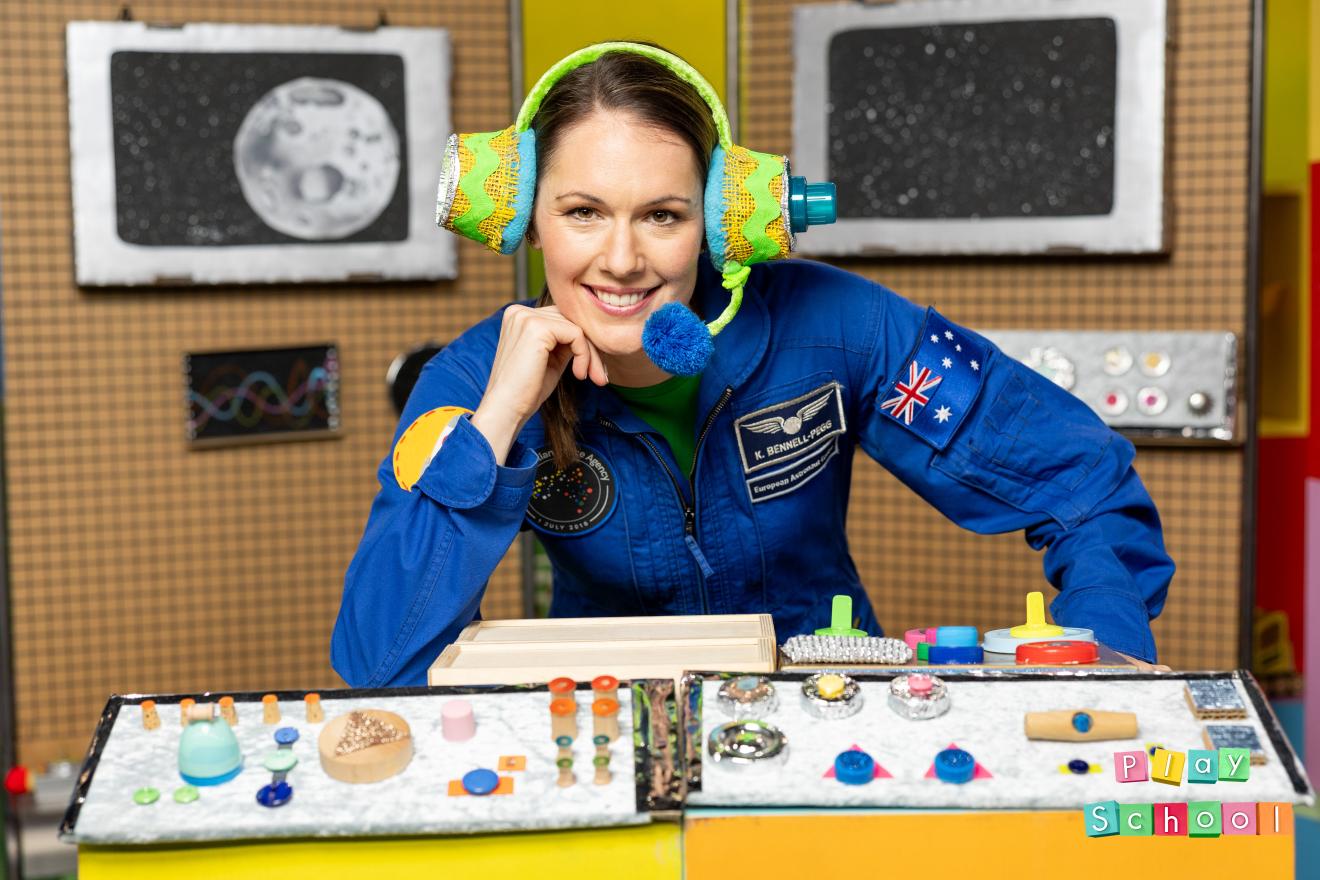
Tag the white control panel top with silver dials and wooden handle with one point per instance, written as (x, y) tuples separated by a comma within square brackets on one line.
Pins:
[(984, 739)]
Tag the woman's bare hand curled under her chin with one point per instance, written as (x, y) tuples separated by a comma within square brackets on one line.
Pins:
[(535, 348)]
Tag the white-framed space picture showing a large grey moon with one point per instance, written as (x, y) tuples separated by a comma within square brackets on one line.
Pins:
[(233, 154)]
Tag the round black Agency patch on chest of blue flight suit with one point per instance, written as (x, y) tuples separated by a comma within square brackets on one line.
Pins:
[(575, 501)]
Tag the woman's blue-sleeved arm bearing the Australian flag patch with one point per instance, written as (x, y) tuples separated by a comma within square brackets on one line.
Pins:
[(997, 448)]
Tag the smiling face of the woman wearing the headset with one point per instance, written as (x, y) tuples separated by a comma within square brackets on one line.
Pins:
[(618, 217)]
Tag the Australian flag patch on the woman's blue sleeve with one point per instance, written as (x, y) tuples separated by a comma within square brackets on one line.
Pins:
[(935, 390)]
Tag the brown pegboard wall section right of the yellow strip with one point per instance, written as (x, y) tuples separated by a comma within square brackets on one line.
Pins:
[(918, 568)]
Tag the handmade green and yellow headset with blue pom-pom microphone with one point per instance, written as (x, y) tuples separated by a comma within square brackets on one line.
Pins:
[(753, 208)]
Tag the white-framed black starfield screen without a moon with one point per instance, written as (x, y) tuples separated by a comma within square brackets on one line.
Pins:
[(984, 126)]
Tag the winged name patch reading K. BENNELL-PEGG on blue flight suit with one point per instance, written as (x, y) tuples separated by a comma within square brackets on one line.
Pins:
[(787, 431)]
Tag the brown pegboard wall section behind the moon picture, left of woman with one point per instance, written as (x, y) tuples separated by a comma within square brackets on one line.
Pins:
[(138, 565)]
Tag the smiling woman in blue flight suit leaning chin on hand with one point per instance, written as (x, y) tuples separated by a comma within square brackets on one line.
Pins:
[(724, 493)]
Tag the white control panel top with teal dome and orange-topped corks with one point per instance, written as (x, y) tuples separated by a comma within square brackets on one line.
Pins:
[(360, 763)]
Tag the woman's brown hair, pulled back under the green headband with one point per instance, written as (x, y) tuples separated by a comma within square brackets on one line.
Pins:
[(617, 81)]
